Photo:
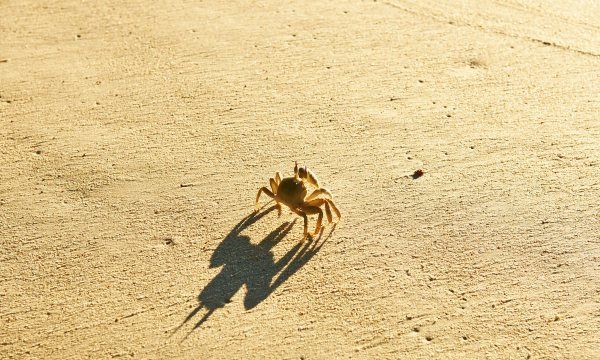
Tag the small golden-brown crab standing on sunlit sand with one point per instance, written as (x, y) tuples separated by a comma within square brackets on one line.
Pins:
[(292, 191)]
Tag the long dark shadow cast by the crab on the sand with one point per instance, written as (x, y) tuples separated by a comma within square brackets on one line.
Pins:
[(252, 265)]
